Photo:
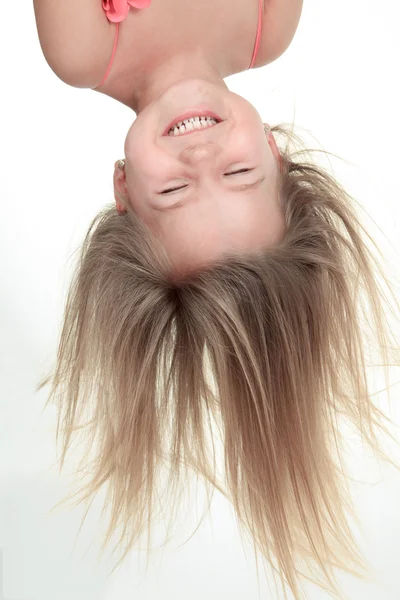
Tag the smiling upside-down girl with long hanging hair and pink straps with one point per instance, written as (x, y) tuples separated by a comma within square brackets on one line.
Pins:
[(232, 289)]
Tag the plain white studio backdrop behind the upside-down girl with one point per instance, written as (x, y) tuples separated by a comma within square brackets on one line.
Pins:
[(339, 80)]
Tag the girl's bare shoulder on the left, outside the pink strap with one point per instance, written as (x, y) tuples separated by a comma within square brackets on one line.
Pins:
[(75, 37)]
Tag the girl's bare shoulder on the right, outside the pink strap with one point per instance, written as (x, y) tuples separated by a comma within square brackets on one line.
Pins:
[(280, 22)]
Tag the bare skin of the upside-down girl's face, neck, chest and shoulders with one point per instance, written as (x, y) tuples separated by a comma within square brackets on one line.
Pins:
[(173, 57)]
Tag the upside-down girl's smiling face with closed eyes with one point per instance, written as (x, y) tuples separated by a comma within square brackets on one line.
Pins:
[(209, 190)]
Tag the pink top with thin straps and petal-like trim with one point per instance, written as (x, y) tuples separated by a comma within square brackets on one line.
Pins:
[(117, 10)]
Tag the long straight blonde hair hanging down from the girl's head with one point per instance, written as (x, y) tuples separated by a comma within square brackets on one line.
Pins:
[(270, 346)]
